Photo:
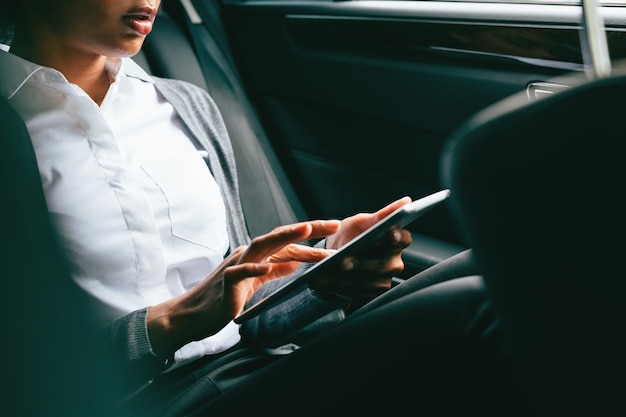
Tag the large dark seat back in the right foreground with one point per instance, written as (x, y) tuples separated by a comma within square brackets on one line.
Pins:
[(538, 191)]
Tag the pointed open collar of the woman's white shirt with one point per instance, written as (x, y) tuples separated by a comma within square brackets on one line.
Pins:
[(17, 71)]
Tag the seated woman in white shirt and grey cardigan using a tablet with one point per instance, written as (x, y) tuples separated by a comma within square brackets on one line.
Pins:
[(169, 264)]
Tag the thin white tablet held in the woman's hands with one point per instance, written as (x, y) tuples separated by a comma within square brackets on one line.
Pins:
[(396, 220)]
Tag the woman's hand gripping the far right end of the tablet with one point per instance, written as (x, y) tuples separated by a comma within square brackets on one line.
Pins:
[(369, 274)]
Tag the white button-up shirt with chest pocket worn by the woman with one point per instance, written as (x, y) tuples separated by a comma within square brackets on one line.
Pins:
[(135, 205)]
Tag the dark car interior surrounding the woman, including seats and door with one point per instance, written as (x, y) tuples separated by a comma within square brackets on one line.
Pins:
[(339, 107)]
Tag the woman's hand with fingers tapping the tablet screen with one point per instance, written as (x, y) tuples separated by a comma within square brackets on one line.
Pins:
[(211, 304)]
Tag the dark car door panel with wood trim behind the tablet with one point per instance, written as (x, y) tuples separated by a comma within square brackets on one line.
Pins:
[(359, 97)]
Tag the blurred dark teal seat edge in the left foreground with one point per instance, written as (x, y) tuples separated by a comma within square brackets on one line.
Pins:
[(47, 349)]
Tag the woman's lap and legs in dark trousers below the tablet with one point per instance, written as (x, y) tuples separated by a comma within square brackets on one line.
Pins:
[(431, 343)]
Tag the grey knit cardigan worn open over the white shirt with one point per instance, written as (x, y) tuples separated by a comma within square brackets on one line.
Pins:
[(205, 125)]
